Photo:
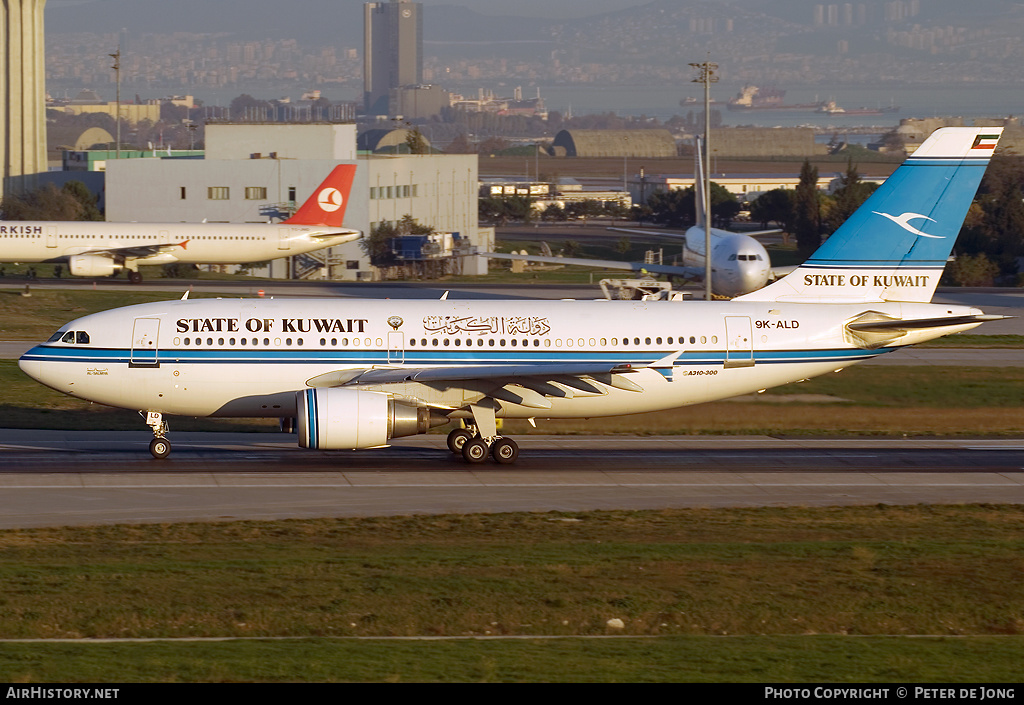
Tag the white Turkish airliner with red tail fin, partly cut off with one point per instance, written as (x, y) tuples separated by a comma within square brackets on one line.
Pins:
[(100, 250)]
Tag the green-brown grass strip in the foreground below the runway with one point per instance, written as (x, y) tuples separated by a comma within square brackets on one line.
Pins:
[(727, 595)]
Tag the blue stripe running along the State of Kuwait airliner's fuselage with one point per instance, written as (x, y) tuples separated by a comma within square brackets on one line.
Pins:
[(442, 358)]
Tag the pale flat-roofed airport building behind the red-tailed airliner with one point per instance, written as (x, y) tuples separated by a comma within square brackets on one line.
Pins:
[(253, 173)]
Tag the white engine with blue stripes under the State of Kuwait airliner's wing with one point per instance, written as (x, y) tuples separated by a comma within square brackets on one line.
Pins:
[(347, 420)]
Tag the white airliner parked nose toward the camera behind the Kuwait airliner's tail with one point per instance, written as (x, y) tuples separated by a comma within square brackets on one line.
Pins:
[(740, 264)]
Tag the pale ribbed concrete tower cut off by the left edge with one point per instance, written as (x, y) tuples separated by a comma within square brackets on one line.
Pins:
[(23, 88)]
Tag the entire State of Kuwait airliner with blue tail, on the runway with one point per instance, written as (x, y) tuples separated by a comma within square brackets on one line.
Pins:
[(356, 375)]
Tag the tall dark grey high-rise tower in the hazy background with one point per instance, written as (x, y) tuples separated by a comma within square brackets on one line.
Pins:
[(393, 54)]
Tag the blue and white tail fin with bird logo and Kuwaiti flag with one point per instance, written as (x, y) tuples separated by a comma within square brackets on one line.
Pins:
[(894, 247)]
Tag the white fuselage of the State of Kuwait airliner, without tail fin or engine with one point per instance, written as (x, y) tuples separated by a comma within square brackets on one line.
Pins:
[(249, 357)]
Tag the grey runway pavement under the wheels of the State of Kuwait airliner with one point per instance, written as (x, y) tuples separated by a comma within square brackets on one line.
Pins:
[(81, 478)]
